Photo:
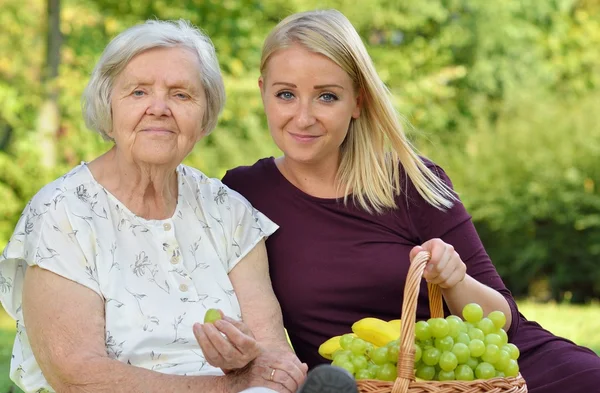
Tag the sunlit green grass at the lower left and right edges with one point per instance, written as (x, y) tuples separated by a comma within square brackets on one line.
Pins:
[(580, 324)]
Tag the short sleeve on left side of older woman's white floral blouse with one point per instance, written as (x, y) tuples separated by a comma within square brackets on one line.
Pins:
[(45, 236)]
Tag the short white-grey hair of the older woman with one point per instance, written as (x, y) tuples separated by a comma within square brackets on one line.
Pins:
[(96, 99)]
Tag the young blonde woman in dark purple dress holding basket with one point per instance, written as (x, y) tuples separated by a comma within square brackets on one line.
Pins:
[(354, 202)]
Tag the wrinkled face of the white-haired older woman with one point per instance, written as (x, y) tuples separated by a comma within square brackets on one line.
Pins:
[(158, 104)]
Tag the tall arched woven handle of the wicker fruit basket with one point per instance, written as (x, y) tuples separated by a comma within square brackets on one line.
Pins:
[(406, 354)]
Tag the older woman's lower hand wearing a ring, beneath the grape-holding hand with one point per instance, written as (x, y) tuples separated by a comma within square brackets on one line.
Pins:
[(281, 371)]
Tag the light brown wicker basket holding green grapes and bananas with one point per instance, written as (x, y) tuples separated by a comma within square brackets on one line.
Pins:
[(405, 382)]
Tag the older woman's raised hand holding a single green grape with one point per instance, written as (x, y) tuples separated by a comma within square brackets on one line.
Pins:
[(227, 343)]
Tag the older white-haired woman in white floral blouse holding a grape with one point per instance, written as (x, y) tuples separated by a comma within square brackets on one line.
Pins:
[(111, 266)]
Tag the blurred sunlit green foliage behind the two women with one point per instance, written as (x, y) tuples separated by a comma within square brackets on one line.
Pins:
[(504, 95)]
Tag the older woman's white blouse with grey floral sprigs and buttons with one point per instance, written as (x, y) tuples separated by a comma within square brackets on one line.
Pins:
[(157, 277)]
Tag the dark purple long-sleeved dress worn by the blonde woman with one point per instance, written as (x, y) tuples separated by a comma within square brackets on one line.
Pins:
[(332, 264)]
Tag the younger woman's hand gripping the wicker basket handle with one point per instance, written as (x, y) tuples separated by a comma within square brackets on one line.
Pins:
[(445, 268)]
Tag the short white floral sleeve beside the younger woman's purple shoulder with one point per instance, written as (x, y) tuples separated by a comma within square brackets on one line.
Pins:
[(249, 227)]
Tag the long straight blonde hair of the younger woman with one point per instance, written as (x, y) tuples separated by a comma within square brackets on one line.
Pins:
[(368, 167)]
